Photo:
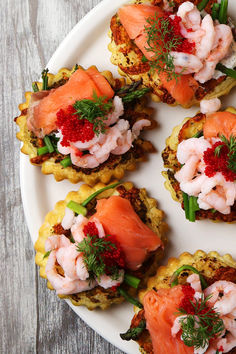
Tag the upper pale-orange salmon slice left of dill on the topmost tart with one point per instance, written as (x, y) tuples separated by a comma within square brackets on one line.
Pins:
[(134, 17)]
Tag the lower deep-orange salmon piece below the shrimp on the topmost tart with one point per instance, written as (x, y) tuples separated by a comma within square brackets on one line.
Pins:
[(182, 89)]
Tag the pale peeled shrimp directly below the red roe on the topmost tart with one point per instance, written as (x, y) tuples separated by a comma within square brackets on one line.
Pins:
[(186, 63)]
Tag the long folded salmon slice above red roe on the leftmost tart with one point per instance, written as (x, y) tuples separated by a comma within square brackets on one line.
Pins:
[(41, 118)]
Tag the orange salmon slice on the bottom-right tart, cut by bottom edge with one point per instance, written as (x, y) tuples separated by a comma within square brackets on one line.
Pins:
[(160, 312)]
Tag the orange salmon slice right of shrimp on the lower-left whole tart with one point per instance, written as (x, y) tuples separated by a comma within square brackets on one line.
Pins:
[(120, 220)]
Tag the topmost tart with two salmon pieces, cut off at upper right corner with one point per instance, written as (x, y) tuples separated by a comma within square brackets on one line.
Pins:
[(183, 51)]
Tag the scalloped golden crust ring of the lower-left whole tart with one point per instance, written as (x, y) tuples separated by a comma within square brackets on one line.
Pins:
[(144, 206)]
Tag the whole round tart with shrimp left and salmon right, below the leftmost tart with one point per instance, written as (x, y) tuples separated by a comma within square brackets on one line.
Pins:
[(99, 245)]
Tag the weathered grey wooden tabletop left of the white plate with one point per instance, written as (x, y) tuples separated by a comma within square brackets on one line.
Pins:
[(33, 319)]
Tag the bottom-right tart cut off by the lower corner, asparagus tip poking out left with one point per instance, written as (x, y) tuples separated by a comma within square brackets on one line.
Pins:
[(188, 307)]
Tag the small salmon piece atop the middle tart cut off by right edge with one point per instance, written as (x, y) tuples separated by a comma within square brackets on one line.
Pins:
[(220, 123)]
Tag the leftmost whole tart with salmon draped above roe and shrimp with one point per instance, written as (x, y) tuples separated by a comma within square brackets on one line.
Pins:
[(84, 125)]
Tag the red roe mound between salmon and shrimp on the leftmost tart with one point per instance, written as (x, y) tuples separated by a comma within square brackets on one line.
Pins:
[(73, 129)]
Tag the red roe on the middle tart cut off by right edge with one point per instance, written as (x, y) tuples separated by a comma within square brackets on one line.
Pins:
[(218, 162)]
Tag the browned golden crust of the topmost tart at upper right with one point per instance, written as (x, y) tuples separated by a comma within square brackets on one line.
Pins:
[(128, 58)]
